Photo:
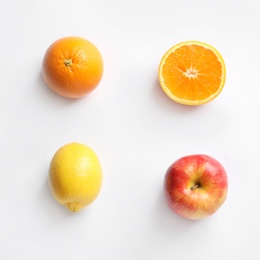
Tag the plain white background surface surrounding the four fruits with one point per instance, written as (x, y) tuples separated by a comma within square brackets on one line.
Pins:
[(135, 129)]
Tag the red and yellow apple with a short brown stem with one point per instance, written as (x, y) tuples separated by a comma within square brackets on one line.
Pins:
[(195, 186)]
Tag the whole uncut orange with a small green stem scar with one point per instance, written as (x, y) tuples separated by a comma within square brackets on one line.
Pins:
[(72, 67)]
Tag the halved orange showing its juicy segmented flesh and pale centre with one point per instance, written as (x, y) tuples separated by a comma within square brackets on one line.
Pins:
[(192, 73)]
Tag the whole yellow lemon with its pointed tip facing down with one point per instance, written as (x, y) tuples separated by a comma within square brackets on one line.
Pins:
[(75, 176)]
